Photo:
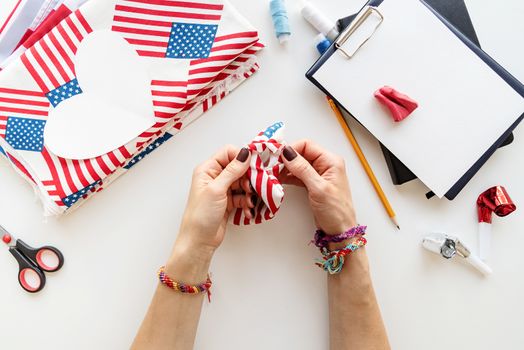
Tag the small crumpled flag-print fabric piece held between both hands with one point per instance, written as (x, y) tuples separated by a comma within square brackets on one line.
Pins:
[(265, 166)]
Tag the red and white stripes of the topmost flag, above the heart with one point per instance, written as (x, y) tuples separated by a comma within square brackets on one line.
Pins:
[(147, 24)]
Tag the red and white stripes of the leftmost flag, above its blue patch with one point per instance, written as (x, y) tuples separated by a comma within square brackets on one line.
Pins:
[(22, 104)]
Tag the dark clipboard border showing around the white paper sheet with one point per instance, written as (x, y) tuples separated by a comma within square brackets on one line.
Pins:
[(505, 75)]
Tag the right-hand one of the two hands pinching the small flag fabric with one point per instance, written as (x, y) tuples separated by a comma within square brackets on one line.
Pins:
[(324, 176)]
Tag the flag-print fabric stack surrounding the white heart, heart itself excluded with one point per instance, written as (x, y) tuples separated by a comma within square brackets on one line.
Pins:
[(215, 44)]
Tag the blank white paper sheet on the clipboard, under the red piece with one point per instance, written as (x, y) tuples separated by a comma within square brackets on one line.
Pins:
[(464, 106)]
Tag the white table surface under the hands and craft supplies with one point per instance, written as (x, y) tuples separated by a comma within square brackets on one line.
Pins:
[(267, 293)]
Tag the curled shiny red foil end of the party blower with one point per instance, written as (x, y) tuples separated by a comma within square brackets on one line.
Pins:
[(494, 200)]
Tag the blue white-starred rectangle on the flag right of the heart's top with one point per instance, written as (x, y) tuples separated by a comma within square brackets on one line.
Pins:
[(191, 40)]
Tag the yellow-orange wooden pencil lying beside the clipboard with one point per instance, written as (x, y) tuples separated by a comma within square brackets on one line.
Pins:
[(363, 160)]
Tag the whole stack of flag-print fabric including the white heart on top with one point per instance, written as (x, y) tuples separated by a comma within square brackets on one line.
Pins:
[(107, 65)]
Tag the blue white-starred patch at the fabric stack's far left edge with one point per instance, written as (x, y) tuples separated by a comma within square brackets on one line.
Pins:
[(25, 134)]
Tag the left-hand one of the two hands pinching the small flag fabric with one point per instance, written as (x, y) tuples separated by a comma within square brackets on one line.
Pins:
[(217, 189)]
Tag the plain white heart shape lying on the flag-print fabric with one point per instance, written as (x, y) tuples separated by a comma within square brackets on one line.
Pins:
[(115, 106)]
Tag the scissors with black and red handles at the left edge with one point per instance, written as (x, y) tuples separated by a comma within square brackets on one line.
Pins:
[(32, 262)]
